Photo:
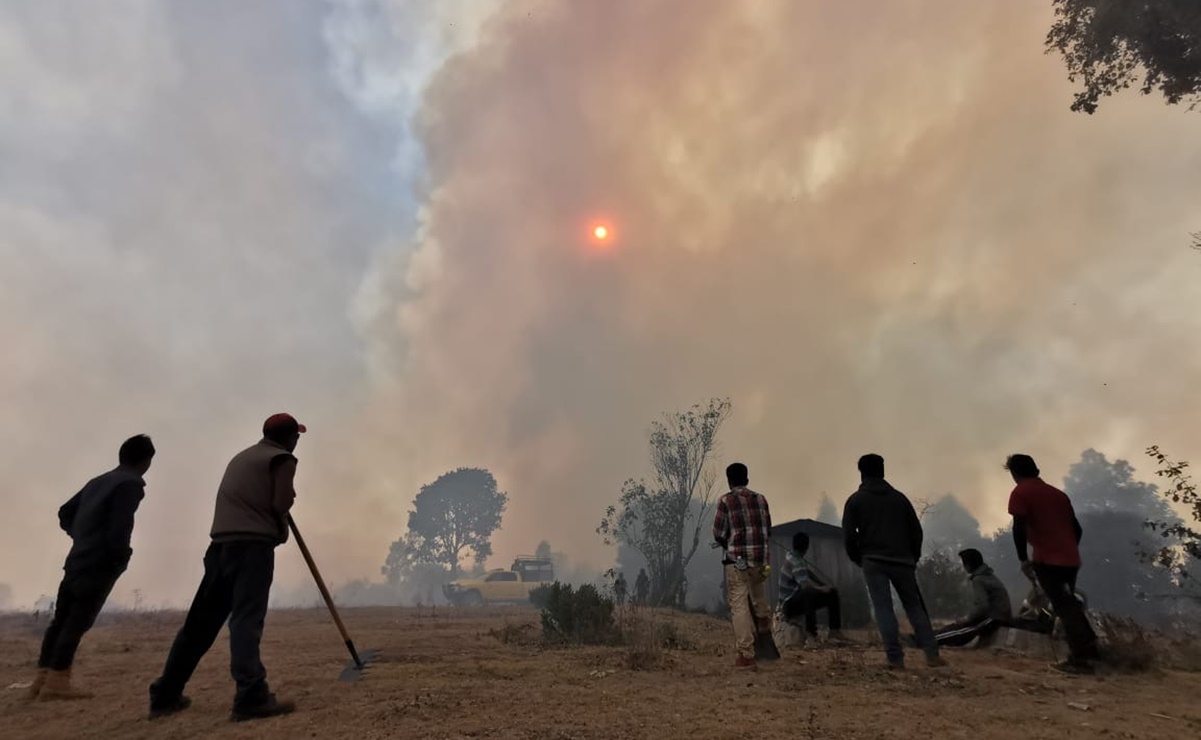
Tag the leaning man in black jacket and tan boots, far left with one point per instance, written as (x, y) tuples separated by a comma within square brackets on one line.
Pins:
[(100, 522)]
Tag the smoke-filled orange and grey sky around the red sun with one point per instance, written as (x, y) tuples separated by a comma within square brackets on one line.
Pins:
[(873, 226)]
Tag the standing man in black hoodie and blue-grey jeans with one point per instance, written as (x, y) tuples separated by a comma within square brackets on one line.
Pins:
[(883, 536)]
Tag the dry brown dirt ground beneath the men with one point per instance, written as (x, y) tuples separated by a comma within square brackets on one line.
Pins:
[(482, 673)]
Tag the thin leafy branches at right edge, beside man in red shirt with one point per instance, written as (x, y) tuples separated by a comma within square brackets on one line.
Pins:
[(1180, 542)]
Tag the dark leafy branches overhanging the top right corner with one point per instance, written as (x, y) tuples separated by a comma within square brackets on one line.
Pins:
[(1109, 46)]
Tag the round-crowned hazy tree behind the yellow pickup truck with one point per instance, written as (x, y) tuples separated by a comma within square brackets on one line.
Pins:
[(453, 516)]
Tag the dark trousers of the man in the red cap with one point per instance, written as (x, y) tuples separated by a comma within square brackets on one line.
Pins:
[(236, 587)]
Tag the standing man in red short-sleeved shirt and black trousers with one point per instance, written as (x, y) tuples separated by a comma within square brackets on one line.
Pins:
[(1045, 518)]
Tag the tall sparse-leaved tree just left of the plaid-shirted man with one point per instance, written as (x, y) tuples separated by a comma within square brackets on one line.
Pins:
[(662, 521)]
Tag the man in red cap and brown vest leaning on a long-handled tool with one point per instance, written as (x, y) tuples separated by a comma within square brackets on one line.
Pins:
[(252, 520)]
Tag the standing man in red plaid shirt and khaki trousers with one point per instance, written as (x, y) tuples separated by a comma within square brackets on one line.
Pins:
[(743, 527)]
